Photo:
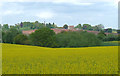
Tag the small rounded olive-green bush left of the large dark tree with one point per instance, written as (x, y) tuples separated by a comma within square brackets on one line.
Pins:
[(21, 39)]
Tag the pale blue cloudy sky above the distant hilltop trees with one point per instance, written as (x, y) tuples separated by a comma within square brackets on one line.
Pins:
[(71, 12)]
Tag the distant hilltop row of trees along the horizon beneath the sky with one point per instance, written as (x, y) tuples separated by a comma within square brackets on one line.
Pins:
[(37, 25)]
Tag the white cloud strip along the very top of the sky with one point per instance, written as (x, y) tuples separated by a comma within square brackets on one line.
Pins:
[(75, 2)]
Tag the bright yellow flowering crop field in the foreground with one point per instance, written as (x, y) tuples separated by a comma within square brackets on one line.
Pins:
[(22, 59)]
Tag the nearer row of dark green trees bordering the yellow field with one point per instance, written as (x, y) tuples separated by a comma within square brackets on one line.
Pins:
[(45, 37)]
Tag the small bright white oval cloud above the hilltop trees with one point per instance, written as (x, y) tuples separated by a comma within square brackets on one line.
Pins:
[(45, 15)]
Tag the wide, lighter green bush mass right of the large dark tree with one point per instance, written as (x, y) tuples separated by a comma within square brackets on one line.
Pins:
[(77, 39)]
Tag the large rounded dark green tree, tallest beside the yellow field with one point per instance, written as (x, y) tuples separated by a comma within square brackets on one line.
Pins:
[(43, 37)]
